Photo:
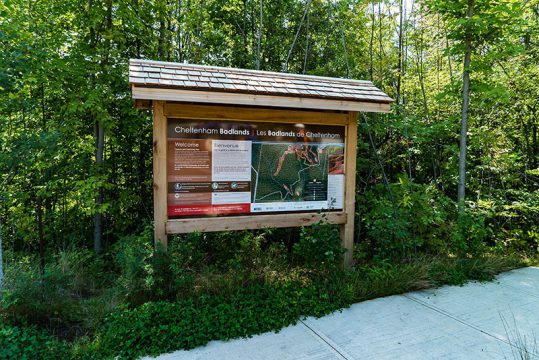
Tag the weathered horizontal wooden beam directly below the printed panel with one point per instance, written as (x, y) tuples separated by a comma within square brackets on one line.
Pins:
[(188, 225)]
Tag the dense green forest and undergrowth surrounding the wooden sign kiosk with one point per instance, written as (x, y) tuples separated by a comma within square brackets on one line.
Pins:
[(75, 155)]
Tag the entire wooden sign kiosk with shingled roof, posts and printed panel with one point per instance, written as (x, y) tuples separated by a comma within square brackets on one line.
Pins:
[(241, 149)]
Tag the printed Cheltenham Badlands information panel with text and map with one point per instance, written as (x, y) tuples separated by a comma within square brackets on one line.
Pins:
[(223, 168)]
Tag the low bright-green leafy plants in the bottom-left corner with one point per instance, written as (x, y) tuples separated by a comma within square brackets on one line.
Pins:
[(29, 343)]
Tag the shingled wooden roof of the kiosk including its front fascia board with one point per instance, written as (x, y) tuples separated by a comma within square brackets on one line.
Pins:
[(153, 80)]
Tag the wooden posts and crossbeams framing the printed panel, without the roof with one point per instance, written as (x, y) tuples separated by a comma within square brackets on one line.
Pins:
[(163, 226)]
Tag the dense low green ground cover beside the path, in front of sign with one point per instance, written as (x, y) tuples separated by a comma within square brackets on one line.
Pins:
[(158, 327)]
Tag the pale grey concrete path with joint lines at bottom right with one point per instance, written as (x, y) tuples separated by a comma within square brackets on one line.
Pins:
[(495, 320)]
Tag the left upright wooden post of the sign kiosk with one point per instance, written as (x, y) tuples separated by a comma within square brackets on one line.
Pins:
[(160, 173)]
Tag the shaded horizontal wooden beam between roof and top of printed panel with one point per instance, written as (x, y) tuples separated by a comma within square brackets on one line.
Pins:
[(243, 113)]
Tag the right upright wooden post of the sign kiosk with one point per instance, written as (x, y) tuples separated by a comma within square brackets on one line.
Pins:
[(347, 229)]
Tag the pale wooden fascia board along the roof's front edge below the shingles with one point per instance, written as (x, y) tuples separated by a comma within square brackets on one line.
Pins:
[(218, 97)]
